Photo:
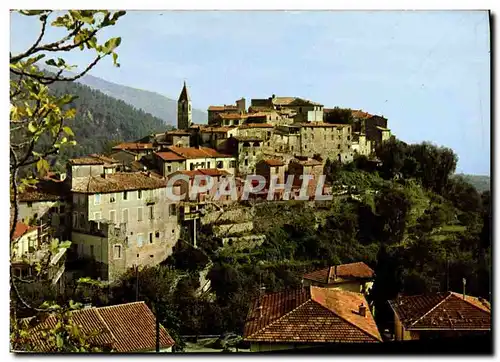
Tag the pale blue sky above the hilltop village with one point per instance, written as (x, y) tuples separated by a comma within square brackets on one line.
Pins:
[(428, 72)]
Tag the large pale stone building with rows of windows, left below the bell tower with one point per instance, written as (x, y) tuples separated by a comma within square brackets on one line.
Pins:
[(136, 204)]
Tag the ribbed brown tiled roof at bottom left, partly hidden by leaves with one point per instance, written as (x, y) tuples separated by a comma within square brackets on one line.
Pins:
[(127, 327)]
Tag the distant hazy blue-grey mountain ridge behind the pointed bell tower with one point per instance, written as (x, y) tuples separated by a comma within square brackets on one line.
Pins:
[(152, 102)]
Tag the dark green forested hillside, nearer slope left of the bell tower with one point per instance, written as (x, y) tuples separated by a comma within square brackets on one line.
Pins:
[(102, 121)]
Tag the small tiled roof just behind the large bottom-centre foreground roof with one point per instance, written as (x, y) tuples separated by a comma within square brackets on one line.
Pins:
[(357, 270)]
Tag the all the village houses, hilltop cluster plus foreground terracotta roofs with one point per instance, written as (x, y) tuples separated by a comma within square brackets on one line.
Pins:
[(116, 212)]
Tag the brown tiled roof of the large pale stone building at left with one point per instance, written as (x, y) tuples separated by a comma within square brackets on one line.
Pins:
[(119, 181)]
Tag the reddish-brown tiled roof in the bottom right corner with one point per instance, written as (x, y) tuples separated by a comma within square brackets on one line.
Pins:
[(442, 311)]
